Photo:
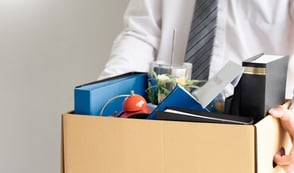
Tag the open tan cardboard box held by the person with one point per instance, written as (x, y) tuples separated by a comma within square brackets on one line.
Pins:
[(93, 144)]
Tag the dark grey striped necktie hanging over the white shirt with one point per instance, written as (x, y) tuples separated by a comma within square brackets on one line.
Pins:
[(201, 38)]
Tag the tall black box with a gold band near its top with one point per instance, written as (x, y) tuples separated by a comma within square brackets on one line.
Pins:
[(261, 86)]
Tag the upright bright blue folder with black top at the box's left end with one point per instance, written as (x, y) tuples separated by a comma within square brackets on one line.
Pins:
[(89, 99)]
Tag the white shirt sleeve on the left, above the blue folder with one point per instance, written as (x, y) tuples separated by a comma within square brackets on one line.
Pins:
[(137, 45)]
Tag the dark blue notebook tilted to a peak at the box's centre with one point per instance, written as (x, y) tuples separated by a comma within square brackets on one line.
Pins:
[(178, 97)]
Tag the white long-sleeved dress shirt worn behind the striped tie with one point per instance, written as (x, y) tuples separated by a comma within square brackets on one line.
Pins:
[(244, 28)]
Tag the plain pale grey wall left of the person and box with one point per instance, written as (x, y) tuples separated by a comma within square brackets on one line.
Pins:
[(47, 47)]
